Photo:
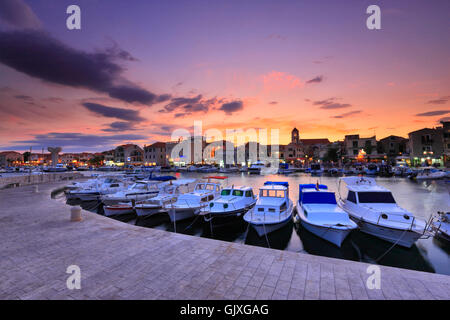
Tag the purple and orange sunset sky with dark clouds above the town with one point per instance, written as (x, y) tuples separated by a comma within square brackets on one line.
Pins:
[(138, 70)]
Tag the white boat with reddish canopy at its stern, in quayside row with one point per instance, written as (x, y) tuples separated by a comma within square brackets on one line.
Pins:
[(189, 204)]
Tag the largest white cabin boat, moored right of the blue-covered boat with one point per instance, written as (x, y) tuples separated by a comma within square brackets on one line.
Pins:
[(374, 209)]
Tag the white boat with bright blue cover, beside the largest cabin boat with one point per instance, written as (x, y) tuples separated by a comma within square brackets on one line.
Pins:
[(319, 213)]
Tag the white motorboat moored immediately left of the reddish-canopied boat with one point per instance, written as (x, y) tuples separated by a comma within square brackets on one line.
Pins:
[(168, 194)]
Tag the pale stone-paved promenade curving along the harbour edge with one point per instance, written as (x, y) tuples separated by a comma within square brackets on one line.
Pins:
[(122, 261)]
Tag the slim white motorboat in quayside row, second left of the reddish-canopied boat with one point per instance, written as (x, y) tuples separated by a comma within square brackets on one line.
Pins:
[(140, 190)]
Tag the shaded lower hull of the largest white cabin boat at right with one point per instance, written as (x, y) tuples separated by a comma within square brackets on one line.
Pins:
[(404, 238)]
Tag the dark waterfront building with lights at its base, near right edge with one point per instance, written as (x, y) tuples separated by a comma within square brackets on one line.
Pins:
[(426, 146)]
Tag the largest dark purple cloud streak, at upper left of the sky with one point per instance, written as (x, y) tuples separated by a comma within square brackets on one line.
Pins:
[(38, 55)]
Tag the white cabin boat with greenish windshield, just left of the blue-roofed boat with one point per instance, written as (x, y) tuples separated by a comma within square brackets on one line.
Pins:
[(233, 203)]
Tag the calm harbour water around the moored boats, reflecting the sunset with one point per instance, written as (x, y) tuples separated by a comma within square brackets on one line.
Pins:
[(423, 199)]
